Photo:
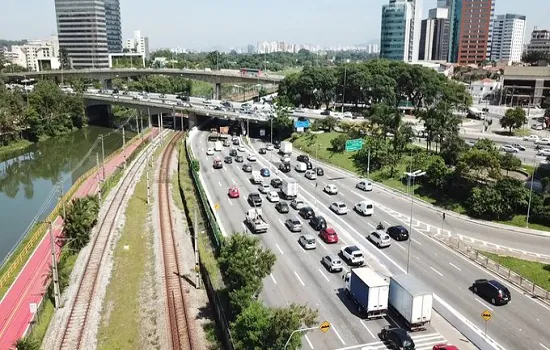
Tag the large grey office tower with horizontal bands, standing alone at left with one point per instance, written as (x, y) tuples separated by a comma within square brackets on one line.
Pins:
[(82, 32)]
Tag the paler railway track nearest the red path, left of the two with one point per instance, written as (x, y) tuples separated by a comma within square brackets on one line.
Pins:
[(79, 316)]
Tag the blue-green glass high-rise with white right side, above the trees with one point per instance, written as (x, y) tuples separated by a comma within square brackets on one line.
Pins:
[(400, 32)]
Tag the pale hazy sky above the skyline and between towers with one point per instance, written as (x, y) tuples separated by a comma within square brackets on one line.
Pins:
[(203, 24)]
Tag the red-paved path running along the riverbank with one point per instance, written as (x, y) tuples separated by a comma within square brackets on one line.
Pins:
[(30, 285)]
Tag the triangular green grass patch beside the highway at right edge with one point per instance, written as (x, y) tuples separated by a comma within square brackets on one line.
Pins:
[(537, 272)]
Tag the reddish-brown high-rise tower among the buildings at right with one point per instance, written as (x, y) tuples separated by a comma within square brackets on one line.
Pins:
[(471, 25)]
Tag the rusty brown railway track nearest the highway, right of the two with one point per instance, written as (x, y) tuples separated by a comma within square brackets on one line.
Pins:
[(179, 321)]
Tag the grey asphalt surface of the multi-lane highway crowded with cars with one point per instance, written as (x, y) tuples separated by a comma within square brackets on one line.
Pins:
[(299, 277)]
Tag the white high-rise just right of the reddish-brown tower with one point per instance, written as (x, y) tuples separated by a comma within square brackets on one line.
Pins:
[(507, 41)]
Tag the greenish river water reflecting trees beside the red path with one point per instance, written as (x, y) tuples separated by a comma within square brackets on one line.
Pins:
[(28, 177)]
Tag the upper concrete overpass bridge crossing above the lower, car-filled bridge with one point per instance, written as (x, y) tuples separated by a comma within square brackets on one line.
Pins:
[(215, 77)]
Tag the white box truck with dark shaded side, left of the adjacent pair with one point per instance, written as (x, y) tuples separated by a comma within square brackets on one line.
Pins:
[(368, 290)]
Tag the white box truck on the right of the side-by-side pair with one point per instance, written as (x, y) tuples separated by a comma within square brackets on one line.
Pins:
[(412, 300)]
